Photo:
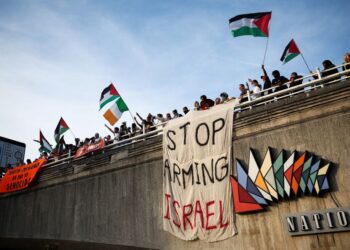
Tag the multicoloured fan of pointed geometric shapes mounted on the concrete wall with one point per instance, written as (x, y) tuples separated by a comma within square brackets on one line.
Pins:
[(279, 179)]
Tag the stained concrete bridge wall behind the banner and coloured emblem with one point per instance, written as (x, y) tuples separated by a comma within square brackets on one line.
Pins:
[(115, 199)]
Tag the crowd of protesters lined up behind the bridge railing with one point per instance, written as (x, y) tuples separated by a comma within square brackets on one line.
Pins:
[(153, 122)]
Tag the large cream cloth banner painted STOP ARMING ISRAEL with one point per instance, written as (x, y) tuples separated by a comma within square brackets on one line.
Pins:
[(197, 193)]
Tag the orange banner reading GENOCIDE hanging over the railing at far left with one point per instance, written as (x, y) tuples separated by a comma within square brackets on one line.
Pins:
[(20, 177)]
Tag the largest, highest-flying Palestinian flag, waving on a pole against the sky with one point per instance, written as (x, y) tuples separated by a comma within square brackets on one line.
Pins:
[(255, 24)]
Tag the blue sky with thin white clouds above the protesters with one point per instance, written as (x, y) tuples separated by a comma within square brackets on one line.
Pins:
[(57, 56)]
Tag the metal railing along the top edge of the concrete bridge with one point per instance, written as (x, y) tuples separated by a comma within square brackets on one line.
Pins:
[(316, 82)]
